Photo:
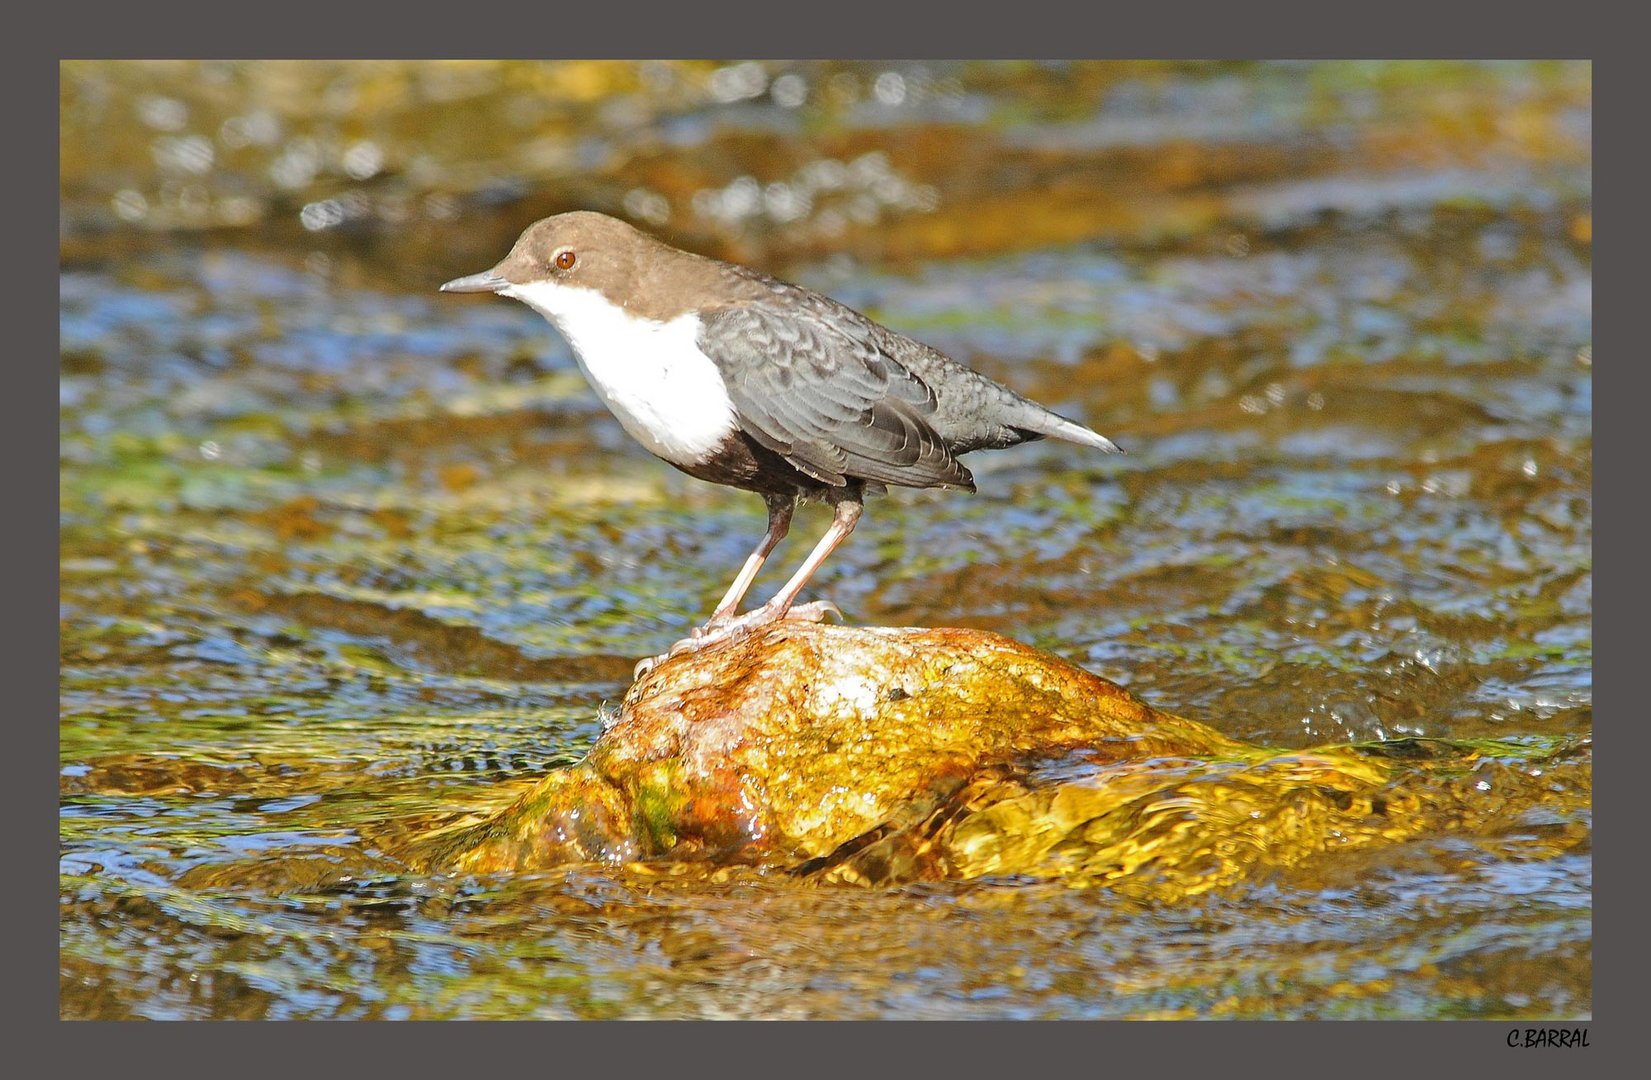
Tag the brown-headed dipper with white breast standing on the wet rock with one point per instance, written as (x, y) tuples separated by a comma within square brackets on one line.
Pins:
[(740, 379)]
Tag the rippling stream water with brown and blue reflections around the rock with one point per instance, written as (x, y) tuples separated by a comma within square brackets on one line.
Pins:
[(343, 556)]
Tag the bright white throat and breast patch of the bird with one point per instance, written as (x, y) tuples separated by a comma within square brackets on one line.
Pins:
[(651, 376)]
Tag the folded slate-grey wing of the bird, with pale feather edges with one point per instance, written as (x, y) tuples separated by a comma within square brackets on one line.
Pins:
[(816, 391)]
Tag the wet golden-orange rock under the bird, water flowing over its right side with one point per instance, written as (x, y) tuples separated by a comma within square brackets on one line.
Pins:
[(882, 756)]
